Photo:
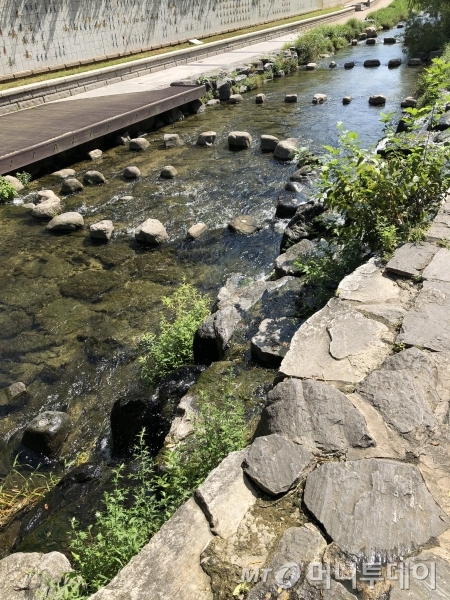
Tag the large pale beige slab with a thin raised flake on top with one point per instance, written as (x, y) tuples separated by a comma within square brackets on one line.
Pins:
[(337, 344)]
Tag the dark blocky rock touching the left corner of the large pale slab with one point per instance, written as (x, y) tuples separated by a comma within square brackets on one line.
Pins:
[(271, 343)]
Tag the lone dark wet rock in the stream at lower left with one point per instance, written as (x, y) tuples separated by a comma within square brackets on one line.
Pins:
[(46, 433)]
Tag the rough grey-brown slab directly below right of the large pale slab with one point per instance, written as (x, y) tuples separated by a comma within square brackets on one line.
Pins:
[(404, 390)]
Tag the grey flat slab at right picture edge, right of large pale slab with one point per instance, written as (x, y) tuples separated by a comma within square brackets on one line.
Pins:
[(427, 323)]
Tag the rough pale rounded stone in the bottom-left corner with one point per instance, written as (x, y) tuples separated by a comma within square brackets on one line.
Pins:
[(26, 576)]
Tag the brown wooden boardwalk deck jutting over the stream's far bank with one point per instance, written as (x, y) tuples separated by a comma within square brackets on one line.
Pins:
[(33, 134)]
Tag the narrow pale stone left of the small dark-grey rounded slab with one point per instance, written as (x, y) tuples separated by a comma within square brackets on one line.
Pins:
[(226, 495)]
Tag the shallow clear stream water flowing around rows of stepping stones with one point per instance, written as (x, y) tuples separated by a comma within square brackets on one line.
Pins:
[(71, 311)]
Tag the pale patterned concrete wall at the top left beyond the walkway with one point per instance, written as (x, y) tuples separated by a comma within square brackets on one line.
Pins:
[(47, 33)]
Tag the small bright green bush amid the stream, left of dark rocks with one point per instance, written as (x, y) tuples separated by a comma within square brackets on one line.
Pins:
[(172, 348)]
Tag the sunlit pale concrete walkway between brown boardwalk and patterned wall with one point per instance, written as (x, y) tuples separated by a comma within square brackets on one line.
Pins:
[(161, 79)]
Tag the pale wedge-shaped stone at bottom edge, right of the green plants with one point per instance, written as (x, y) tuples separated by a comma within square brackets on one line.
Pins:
[(151, 575)]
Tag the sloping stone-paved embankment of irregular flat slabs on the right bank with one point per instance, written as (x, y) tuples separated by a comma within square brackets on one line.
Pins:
[(344, 492)]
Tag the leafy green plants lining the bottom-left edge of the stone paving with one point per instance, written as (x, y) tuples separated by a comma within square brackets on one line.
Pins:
[(143, 499)]
